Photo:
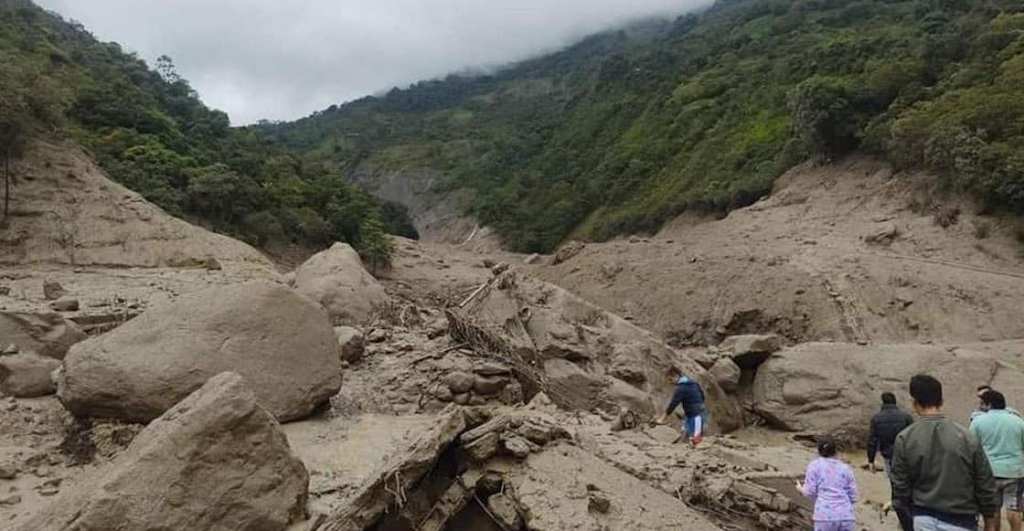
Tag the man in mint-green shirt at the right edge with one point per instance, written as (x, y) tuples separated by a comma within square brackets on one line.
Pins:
[(1002, 435)]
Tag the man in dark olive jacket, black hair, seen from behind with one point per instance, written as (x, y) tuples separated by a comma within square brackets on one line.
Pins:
[(941, 472)]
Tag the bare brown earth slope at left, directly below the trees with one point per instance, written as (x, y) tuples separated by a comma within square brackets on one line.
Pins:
[(67, 211)]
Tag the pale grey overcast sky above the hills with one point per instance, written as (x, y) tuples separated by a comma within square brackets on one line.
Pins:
[(282, 60)]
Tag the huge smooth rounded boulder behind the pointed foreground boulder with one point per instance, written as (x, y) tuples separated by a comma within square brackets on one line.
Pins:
[(280, 341)]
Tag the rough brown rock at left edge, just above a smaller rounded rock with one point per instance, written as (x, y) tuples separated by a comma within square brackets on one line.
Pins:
[(46, 334)]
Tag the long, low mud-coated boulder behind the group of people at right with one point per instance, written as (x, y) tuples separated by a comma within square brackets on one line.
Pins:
[(835, 388)]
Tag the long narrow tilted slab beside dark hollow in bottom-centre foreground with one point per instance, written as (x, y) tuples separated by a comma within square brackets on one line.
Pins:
[(387, 490)]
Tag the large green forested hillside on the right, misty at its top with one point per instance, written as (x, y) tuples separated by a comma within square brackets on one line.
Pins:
[(625, 130)]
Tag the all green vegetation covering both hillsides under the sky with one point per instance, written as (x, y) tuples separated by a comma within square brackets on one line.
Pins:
[(616, 135)]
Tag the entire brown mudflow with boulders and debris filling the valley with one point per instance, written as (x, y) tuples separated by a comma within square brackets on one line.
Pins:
[(156, 376)]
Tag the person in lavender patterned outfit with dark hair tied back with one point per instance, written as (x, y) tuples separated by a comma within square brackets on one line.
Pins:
[(830, 483)]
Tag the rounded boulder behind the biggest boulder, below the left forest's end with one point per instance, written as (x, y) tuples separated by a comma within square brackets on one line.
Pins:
[(337, 280)]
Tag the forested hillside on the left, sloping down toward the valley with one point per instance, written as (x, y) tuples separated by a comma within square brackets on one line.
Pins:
[(150, 130)]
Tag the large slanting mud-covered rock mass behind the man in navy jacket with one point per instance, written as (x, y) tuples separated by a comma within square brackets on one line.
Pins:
[(584, 358)]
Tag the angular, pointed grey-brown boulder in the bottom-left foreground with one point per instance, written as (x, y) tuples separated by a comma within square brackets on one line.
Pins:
[(216, 462)]
